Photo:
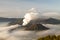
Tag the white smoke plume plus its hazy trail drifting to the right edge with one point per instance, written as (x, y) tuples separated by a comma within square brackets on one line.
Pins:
[(33, 14)]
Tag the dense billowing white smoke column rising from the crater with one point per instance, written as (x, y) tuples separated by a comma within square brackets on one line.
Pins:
[(31, 15)]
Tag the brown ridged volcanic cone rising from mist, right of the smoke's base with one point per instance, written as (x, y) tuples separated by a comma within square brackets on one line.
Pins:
[(36, 27)]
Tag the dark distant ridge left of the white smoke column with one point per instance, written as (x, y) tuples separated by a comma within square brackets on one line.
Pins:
[(12, 21)]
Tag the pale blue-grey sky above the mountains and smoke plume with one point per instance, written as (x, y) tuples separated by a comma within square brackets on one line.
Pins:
[(17, 8)]
